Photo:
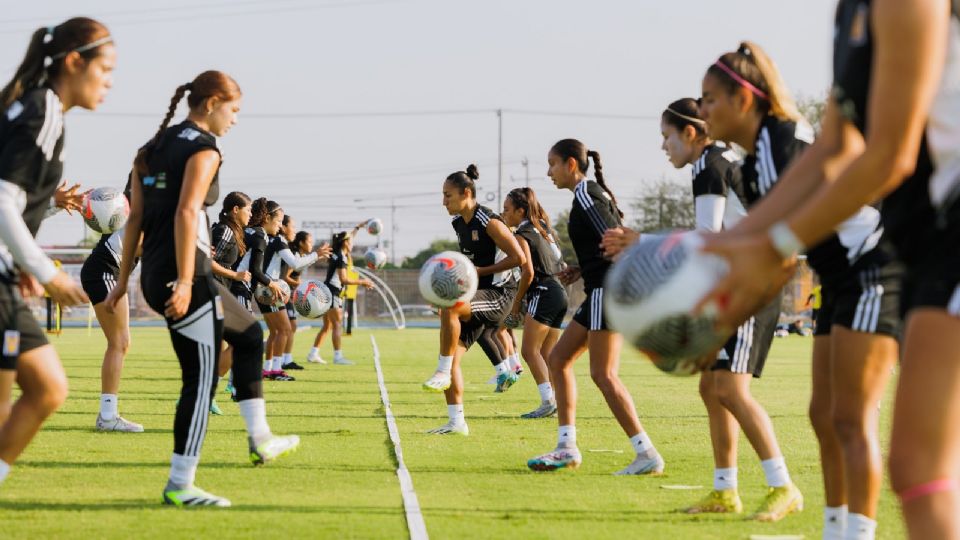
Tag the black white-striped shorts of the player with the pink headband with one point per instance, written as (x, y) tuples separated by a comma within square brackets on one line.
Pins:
[(866, 300)]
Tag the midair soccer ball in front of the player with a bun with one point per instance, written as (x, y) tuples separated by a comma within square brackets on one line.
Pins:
[(448, 279)]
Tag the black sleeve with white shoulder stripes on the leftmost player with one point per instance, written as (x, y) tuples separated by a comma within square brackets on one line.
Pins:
[(21, 158)]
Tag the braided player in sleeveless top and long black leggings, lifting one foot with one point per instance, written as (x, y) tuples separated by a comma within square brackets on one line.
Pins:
[(175, 179)]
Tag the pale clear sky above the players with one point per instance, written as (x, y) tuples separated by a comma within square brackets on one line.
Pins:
[(312, 71)]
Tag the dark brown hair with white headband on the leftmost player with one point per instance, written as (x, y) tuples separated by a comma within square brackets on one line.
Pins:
[(50, 45)]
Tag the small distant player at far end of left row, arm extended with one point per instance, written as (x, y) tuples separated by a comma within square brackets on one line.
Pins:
[(336, 280)]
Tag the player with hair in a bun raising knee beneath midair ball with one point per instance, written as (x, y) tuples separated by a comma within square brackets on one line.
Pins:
[(480, 233)]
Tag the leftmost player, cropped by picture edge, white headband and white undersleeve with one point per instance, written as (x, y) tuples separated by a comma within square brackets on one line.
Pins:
[(68, 65)]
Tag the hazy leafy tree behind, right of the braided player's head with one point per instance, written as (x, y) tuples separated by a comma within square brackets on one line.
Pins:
[(663, 205)]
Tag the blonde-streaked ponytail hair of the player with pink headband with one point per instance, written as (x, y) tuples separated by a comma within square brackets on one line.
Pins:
[(751, 68)]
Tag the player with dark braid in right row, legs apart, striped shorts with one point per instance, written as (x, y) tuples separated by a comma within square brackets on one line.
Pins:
[(594, 211)]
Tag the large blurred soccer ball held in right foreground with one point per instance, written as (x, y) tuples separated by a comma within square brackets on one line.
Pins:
[(650, 294)]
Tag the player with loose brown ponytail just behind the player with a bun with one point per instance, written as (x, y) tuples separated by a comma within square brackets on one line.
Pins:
[(545, 297)]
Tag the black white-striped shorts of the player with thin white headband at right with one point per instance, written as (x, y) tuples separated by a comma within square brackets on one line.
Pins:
[(746, 351)]
